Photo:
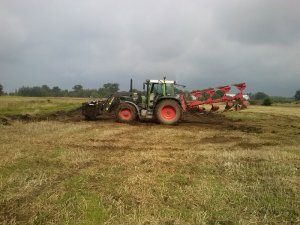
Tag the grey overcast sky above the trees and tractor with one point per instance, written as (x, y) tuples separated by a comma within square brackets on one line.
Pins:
[(200, 43)]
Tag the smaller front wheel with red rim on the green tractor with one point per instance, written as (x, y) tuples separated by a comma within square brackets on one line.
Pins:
[(126, 113)]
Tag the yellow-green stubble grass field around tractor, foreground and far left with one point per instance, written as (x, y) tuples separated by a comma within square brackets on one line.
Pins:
[(232, 168)]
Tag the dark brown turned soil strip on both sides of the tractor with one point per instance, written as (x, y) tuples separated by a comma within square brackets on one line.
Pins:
[(209, 121)]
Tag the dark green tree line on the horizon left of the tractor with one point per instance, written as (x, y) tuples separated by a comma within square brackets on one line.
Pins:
[(77, 91)]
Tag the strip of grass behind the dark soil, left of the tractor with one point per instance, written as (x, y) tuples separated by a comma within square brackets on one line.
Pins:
[(16, 105)]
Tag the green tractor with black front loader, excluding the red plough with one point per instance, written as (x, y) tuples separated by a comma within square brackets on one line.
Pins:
[(160, 101)]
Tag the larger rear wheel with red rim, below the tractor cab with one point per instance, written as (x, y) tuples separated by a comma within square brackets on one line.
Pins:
[(168, 112)]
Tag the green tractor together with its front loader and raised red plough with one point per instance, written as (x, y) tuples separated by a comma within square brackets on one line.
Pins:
[(162, 101)]
